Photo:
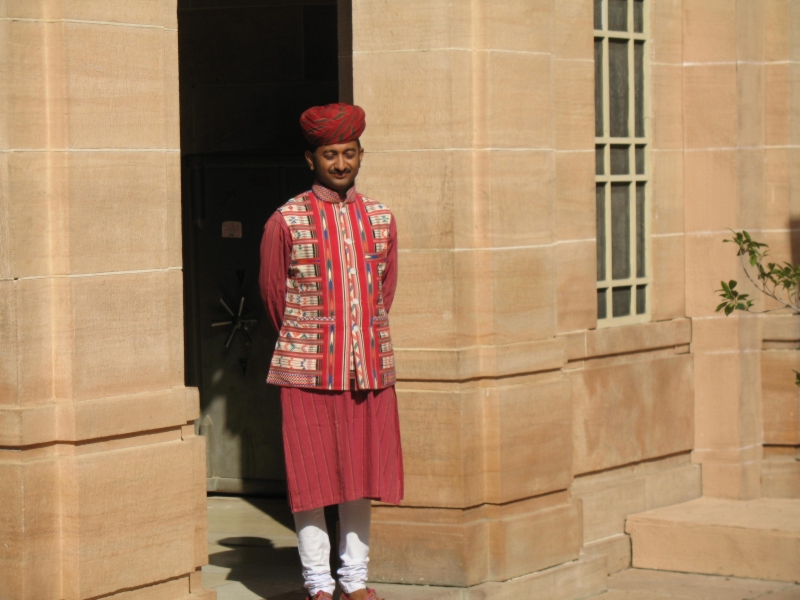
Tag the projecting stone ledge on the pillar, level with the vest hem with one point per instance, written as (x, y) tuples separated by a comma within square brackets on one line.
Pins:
[(478, 362)]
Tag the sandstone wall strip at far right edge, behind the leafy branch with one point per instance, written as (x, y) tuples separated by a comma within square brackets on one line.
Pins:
[(780, 470)]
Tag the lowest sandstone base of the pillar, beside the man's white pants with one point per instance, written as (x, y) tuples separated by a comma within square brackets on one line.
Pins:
[(463, 548)]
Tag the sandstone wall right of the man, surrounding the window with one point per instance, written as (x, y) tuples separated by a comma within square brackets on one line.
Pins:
[(481, 140)]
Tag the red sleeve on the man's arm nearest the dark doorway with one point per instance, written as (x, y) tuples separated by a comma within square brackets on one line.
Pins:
[(276, 252)]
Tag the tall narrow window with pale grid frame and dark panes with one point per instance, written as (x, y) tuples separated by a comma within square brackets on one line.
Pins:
[(637, 150)]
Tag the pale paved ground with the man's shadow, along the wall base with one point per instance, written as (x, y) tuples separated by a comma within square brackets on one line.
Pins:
[(253, 556)]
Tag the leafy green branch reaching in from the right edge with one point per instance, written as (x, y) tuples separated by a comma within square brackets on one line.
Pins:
[(779, 281)]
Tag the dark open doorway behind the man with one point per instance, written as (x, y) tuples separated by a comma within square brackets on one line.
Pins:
[(248, 68)]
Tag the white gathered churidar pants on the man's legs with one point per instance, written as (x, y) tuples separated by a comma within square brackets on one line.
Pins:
[(315, 547)]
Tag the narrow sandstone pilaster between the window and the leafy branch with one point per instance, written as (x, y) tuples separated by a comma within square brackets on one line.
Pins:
[(727, 137)]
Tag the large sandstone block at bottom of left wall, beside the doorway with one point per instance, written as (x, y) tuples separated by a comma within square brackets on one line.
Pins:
[(151, 495)]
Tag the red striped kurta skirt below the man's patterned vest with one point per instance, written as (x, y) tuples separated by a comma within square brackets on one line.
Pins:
[(341, 446)]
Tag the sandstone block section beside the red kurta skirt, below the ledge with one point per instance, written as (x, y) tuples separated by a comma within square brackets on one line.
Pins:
[(492, 444)]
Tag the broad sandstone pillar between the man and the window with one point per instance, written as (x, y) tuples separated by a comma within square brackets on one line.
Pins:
[(461, 143)]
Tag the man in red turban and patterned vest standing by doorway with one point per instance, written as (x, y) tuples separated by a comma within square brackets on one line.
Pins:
[(328, 276)]
